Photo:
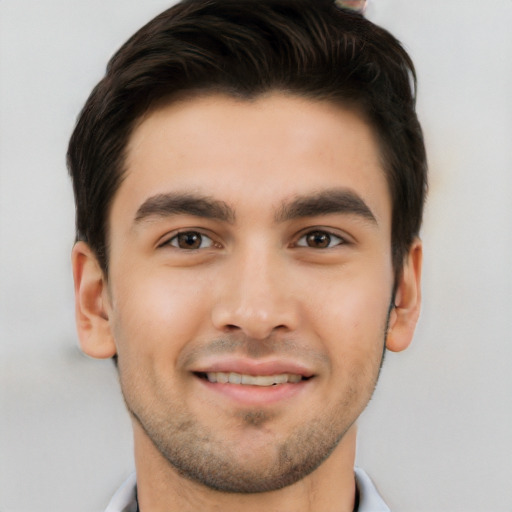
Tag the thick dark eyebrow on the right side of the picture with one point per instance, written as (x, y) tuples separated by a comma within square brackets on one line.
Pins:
[(338, 200)]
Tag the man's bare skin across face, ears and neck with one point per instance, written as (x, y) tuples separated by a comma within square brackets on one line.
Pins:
[(259, 276)]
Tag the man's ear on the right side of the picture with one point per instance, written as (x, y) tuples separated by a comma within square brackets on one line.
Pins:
[(407, 301)]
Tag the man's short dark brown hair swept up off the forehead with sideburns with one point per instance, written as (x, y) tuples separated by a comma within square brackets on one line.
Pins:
[(244, 48)]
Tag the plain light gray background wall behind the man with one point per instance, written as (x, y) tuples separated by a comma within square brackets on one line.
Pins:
[(438, 435)]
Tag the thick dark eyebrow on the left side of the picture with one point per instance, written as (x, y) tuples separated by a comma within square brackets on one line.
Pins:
[(175, 203)]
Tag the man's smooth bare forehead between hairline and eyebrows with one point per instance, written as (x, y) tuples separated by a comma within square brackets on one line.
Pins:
[(266, 150)]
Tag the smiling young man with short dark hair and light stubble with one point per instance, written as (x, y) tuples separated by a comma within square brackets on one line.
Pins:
[(249, 180)]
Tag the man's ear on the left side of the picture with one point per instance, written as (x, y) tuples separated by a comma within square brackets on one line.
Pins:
[(91, 303)]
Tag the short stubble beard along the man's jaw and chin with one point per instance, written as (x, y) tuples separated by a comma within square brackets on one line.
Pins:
[(196, 453)]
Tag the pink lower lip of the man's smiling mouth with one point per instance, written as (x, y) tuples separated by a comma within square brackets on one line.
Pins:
[(257, 395)]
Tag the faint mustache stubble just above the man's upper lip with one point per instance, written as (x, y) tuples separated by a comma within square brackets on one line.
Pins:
[(234, 344)]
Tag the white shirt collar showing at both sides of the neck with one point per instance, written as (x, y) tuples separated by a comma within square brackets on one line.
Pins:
[(124, 500)]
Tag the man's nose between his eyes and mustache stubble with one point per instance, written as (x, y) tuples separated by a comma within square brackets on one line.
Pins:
[(256, 296)]
